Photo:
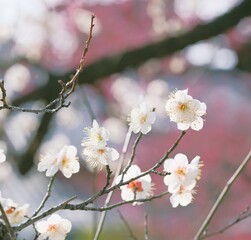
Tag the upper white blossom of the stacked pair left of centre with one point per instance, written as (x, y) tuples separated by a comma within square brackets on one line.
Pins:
[(96, 135)]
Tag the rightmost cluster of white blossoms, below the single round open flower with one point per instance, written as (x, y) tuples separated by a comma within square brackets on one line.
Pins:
[(181, 178)]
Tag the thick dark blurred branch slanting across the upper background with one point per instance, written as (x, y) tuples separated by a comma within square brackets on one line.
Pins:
[(133, 58)]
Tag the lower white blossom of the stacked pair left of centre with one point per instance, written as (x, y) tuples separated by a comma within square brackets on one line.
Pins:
[(98, 156)]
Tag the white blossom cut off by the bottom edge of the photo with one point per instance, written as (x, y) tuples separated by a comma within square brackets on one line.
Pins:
[(55, 228)]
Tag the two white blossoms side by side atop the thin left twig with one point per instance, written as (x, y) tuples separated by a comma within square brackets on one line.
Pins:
[(66, 161)]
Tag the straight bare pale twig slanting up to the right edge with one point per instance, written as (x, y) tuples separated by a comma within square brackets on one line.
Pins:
[(202, 230)]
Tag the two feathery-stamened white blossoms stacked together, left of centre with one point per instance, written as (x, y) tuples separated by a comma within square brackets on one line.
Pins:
[(97, 153)]
